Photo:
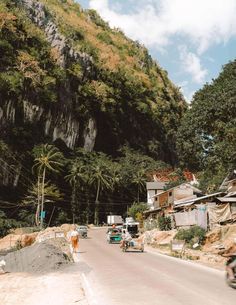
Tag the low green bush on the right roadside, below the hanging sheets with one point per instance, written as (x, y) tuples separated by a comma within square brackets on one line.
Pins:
[(193, 235)]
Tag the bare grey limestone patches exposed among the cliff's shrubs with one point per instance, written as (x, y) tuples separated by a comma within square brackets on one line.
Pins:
[(55, 122)]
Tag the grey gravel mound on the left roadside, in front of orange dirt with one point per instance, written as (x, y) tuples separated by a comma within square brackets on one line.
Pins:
[(41, 257)]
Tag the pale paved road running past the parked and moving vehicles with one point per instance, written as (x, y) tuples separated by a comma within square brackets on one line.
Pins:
[(113, 277)]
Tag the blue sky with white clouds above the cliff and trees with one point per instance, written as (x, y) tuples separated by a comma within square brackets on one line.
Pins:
[(190, 39)]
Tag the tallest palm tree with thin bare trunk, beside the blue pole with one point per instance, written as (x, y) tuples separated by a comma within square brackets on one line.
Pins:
[(47, 157)]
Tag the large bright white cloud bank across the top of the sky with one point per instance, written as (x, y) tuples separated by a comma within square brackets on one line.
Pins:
[(155, 22)]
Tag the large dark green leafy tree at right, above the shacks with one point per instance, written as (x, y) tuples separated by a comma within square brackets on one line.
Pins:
[(207, 136)]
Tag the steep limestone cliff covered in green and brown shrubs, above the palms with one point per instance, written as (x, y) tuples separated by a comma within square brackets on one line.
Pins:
[(66, 76)]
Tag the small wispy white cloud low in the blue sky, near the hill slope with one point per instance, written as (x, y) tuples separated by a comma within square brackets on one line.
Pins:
[(192, 65)]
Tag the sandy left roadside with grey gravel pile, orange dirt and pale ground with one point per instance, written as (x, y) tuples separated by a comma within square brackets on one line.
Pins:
[(40, 273)]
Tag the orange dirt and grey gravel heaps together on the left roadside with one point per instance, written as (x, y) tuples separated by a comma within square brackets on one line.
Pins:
[(36, 252)]
